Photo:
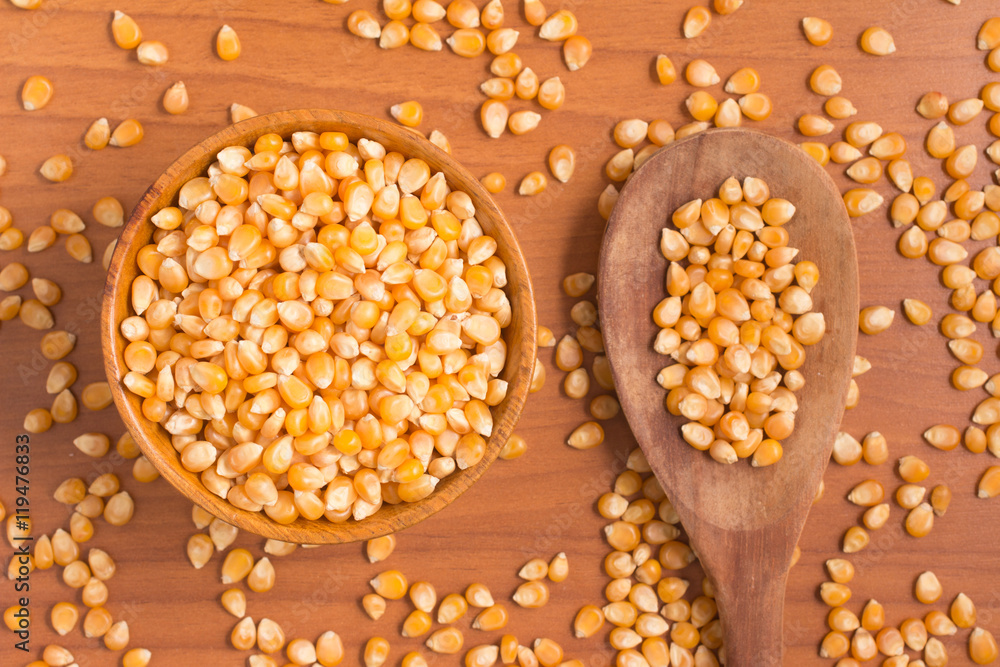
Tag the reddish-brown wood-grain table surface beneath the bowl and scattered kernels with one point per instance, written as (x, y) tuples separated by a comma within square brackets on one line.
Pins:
[(301, 56)]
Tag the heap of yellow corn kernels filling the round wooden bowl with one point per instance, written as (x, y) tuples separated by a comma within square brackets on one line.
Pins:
[(300, 368)]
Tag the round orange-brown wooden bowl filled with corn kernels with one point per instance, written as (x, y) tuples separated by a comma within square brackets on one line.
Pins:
[(155, 441)]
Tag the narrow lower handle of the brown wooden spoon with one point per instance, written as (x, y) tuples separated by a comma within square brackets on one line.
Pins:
[(750, 569)]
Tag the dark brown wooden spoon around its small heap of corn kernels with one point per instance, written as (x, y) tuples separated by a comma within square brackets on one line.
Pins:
[(743, 522)]
